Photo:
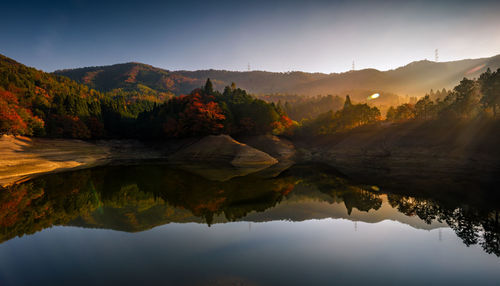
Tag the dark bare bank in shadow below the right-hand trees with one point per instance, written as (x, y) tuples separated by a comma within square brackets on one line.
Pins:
[(433, 155)]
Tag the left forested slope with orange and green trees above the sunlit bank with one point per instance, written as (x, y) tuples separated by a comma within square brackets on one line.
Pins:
[(36, 103)]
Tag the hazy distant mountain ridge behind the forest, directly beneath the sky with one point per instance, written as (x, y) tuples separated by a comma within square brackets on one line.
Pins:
[(414, 79)]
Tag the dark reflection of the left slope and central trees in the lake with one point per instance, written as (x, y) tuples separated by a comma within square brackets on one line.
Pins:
[(130, 198)]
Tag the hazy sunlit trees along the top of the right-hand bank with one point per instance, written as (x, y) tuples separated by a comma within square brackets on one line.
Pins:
[(471, 98)]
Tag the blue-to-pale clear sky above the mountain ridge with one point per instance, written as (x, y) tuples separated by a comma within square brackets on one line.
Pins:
[(281, 36)]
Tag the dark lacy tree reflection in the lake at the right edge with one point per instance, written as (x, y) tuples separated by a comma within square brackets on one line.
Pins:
[(472, 225)]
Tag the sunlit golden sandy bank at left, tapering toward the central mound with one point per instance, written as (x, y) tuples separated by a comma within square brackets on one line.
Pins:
[(22, 157)]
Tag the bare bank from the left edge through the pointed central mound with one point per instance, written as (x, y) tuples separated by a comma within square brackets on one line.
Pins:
[(22, 158)]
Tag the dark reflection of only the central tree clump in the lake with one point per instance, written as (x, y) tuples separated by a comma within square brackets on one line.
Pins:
[(205, 198)]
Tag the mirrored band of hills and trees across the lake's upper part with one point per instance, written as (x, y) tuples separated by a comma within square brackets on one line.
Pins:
[(138, 198)]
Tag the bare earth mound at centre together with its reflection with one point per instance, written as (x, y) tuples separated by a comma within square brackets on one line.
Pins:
[(221, 158)]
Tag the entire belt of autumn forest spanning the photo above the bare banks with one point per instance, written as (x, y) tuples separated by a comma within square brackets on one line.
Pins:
[(36, 103)]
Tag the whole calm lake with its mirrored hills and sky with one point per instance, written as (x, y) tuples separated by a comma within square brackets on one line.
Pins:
[(309, 225)]
